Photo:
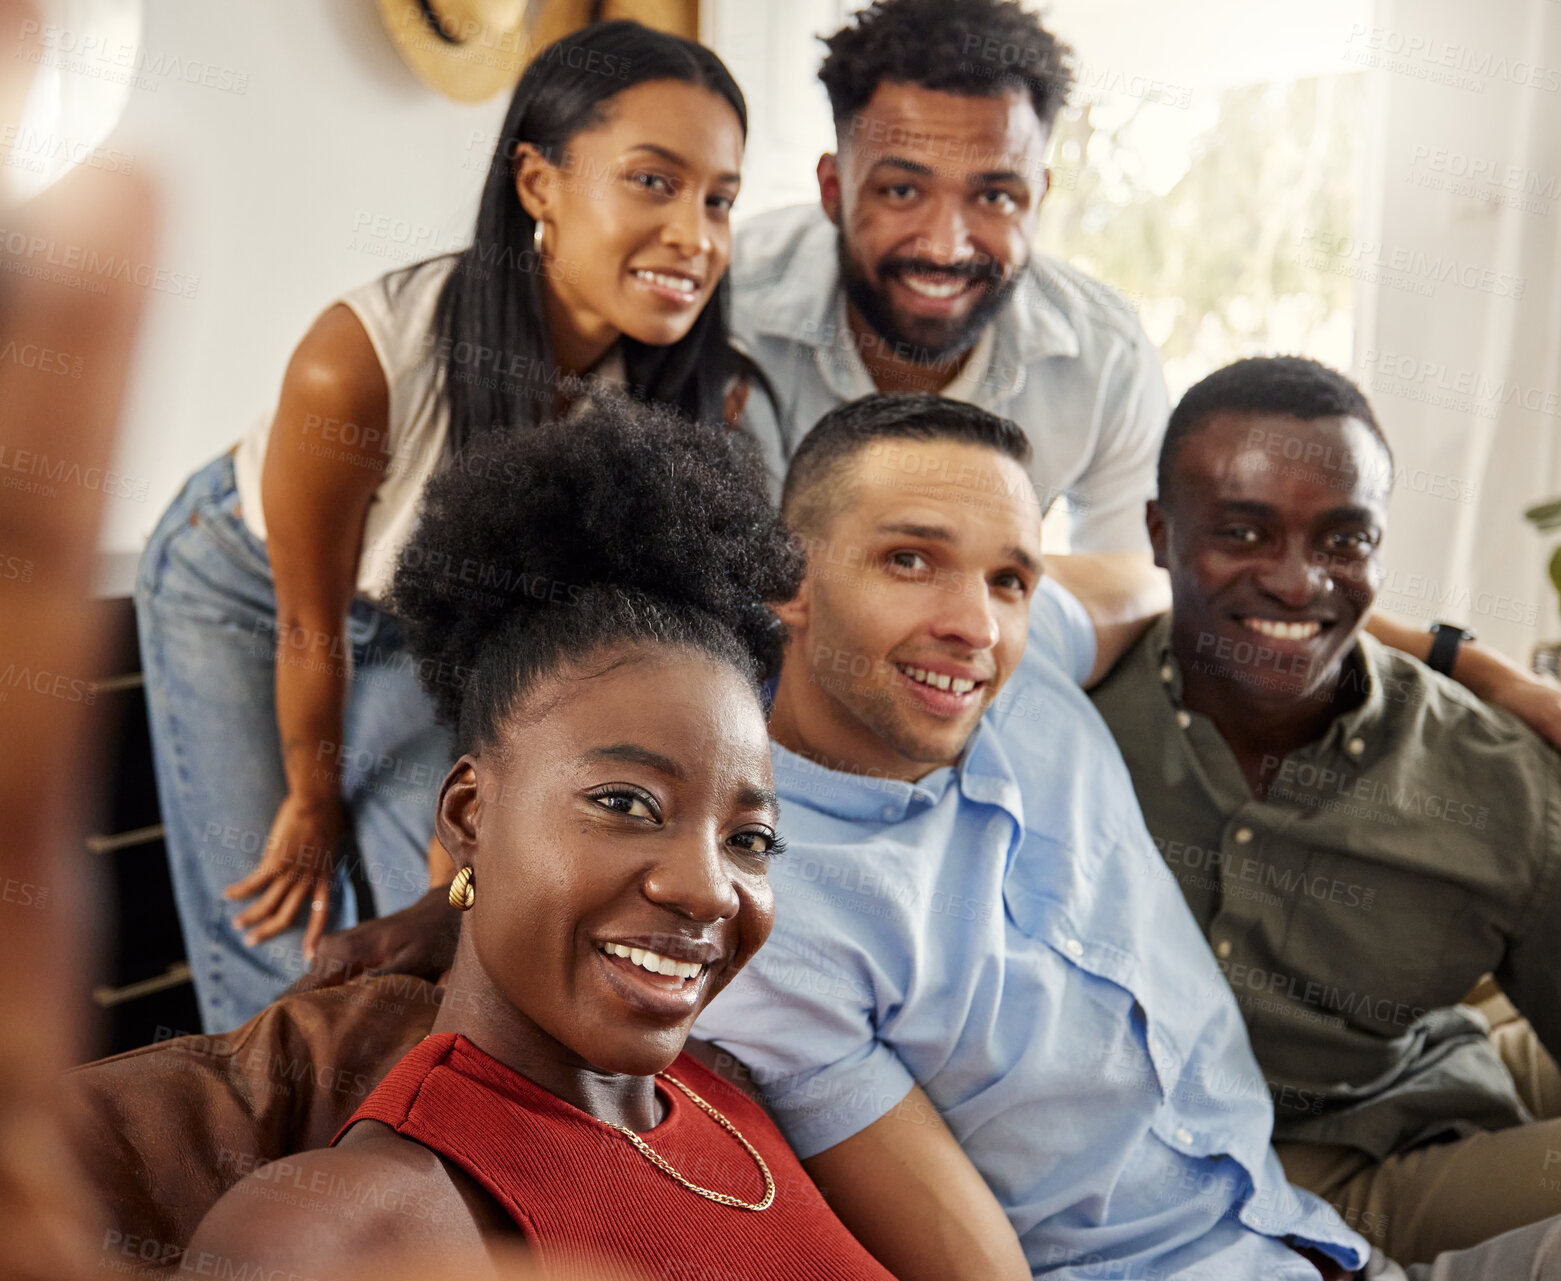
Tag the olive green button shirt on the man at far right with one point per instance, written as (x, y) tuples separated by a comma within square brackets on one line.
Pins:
[(1410, 851)]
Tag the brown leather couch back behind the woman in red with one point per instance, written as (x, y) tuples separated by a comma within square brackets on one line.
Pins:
[(168, 1129)]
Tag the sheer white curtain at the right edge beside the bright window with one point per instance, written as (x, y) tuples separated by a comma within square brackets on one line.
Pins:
[(1459, 314)]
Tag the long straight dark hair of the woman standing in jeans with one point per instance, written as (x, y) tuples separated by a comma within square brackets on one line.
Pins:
[(496, 360)]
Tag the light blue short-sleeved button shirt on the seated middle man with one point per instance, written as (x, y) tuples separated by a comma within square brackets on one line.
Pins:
[(1006, 935)]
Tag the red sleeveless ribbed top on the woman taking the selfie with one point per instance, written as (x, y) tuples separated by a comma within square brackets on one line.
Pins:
[(581, 1191)]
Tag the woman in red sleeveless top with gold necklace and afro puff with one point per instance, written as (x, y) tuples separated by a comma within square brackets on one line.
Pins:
[(588, 606)]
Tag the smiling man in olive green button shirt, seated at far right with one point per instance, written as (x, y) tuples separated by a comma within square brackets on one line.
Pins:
[(1359, 837)]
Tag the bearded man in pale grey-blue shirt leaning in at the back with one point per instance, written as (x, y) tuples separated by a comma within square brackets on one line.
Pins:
[(916, 274)]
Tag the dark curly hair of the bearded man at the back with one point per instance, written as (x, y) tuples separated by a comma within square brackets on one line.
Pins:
[(972, 48)]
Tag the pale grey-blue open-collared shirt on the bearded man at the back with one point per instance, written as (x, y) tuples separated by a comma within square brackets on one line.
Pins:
[(1067, 361)]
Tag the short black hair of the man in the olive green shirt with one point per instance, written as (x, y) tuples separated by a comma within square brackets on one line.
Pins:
[(1265, 385)]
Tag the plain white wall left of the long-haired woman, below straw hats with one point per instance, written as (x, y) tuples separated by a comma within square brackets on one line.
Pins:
[(266, 202)]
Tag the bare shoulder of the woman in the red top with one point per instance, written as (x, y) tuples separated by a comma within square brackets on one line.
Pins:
[(327, 1212)]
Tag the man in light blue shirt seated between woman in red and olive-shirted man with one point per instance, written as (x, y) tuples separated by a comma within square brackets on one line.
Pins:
[(976, 942)]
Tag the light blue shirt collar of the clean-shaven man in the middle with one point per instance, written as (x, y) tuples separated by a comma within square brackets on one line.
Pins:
[(983, 775)]
